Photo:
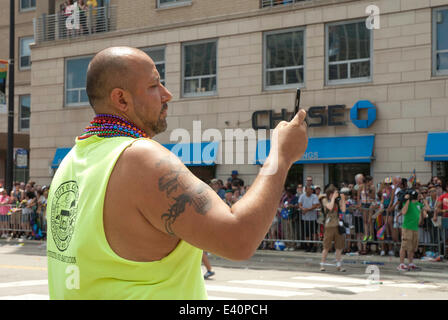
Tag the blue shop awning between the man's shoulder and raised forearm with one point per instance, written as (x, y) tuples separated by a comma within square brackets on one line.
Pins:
[(195, 154)]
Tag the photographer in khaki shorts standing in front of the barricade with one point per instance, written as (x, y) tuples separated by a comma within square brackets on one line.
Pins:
[(331, 233)]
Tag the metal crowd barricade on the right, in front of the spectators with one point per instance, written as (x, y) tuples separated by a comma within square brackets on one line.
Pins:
[(296, 233)]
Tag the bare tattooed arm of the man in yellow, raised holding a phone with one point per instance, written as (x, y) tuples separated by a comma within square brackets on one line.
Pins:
[(176, 202)]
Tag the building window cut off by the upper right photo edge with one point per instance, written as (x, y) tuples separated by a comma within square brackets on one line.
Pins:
[(440, 41)]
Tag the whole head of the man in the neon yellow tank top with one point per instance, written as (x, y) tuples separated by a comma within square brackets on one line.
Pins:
[(124, 81)]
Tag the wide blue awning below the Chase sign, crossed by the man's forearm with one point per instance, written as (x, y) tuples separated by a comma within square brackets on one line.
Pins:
[(355, 149)]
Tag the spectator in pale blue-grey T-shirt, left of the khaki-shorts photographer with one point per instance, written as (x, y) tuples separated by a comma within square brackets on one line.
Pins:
[(308, 203)]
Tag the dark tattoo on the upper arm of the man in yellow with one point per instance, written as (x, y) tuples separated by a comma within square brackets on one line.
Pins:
[(183, 193)]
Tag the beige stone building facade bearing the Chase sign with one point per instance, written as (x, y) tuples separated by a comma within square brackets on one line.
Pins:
[(396, 72)]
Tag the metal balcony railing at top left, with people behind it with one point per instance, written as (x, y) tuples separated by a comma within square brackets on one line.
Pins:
[(75, 24)]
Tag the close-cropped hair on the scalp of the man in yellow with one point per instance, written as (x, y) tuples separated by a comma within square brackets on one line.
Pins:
[(112, 68)]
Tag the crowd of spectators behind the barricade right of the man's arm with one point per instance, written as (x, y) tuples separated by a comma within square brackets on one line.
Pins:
[(373, 217)]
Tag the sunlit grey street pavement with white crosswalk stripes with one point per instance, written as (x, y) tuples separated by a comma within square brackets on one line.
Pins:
[(268, 275)]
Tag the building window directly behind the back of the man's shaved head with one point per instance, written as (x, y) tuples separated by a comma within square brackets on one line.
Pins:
[(75, 81)]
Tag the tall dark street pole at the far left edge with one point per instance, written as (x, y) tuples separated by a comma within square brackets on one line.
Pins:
[(9, 153)]
